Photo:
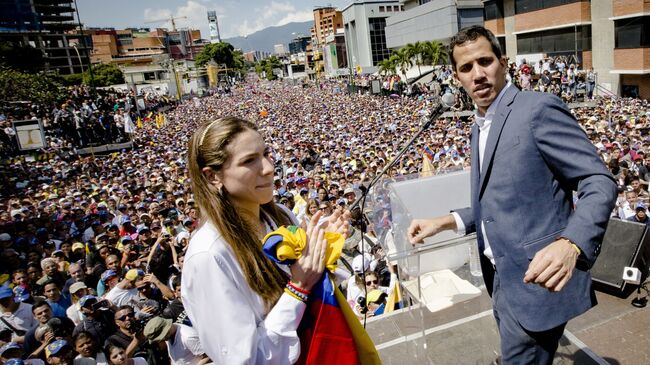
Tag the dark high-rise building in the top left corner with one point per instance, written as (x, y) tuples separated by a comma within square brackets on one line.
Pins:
[(49, 26)]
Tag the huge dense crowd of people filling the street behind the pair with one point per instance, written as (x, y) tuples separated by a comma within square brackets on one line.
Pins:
[(92, 247)]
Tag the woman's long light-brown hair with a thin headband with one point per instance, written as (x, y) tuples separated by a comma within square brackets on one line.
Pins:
[(208, 148)]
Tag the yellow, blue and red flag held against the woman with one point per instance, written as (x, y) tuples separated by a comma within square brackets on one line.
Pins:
[(329, 331)]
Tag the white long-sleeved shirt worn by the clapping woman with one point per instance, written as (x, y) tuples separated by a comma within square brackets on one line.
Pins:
[(232, 322)]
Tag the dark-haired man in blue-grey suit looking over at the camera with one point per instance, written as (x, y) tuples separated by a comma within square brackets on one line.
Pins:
[(528, 157)]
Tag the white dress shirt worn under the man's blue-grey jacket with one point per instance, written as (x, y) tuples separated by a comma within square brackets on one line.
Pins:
[(484, 123)]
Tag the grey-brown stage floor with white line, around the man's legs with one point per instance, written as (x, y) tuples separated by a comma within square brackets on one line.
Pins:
[(614, 332)]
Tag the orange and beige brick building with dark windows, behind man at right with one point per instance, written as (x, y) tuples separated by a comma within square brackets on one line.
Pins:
[(610, 36)]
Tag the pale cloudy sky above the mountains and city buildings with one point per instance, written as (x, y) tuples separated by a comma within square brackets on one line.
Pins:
[(241, 17)]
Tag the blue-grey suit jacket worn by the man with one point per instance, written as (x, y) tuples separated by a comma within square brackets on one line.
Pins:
[(536, 155)]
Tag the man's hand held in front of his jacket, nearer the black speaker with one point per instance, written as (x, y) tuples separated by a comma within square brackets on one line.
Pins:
[(553, 265)]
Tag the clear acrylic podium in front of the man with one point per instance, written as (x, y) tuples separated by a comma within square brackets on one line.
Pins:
[(447, 317)]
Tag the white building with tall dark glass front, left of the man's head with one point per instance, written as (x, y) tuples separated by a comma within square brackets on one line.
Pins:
[(365, 35)]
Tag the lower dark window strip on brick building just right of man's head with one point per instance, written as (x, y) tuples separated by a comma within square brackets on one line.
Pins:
[(571, 39)]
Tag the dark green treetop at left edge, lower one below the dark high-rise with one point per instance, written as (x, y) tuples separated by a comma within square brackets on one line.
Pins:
[(37, 88)]
